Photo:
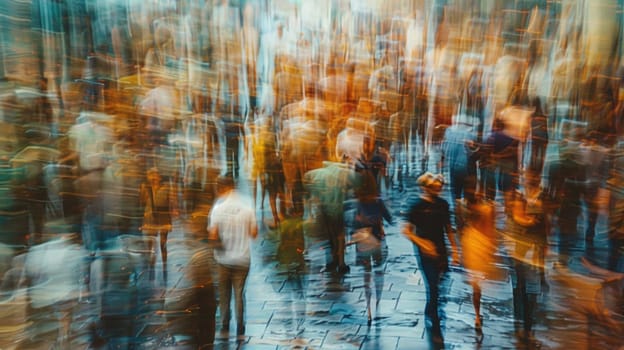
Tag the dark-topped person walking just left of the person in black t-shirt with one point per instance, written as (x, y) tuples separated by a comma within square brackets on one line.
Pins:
[(371, 245)]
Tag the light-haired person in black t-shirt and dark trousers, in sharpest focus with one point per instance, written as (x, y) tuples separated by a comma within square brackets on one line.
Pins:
[(428, 227)]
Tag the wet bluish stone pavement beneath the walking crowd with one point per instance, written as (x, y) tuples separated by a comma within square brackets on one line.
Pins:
[(313, 309)]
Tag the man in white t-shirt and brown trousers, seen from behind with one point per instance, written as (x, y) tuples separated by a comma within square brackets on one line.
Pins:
[(232, 224)]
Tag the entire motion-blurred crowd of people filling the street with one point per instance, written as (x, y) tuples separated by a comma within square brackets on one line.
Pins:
[(175, 112)]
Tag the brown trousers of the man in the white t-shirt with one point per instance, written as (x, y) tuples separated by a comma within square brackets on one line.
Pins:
[(232, 277)]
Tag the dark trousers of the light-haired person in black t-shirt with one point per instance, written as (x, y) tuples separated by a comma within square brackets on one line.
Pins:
[(433, 269)]
